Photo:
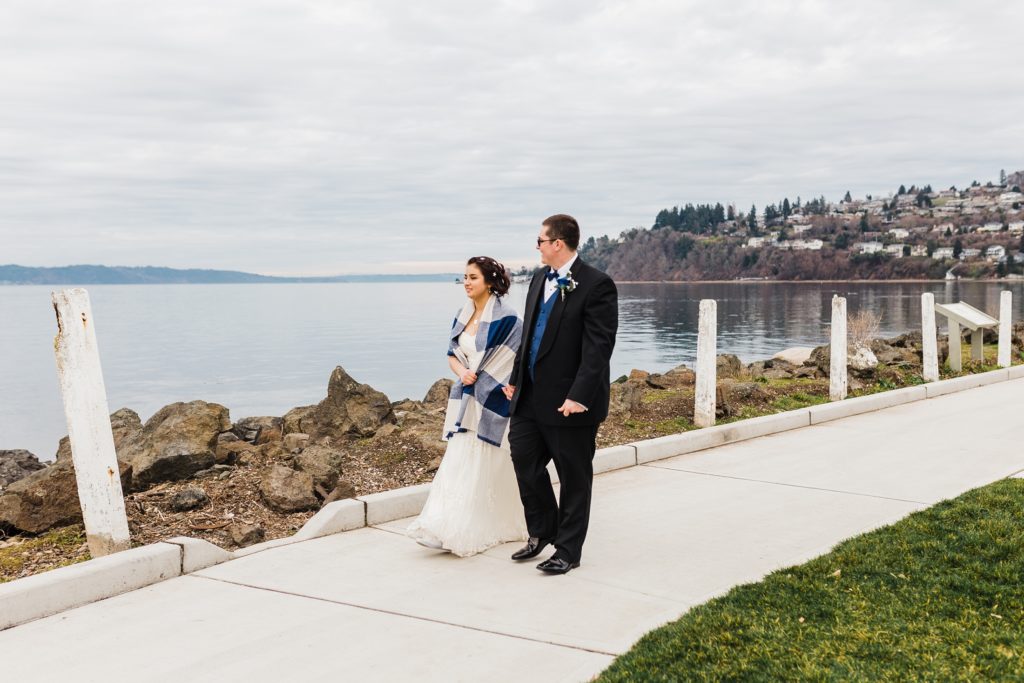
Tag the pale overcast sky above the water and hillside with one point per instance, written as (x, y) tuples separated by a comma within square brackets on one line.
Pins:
[(289, 138)]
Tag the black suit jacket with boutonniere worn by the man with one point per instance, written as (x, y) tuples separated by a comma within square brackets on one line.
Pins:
[(575, 355)]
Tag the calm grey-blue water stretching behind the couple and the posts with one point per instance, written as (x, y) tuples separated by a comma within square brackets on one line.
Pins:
[(263, 350)]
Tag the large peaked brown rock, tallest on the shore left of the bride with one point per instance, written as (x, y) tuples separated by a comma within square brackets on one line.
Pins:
[(351, 409)]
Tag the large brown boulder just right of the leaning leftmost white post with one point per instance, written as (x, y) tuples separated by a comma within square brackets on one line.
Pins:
[(180, 441)]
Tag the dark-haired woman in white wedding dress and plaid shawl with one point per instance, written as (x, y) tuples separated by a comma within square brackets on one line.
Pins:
[(475, 500)]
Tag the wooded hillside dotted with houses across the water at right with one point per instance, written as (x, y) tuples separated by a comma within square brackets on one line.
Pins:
[(915, 233)]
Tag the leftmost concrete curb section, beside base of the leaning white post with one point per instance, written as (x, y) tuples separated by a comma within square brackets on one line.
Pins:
[(52, 592)]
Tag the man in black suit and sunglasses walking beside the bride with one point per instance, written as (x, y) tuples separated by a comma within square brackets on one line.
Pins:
[(560, 394)]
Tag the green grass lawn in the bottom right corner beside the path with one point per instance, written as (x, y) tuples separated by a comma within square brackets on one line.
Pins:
[(938, 596)]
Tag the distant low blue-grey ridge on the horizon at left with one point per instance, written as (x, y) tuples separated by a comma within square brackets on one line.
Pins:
[(148, 275)]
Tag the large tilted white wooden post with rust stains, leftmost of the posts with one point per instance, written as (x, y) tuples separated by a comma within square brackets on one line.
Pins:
[(90, 424)]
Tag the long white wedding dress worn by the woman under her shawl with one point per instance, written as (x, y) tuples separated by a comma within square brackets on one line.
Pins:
[(475, 500)]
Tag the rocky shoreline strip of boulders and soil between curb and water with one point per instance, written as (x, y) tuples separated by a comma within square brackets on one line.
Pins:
[(190, 471)]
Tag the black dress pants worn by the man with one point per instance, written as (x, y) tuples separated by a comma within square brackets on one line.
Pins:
[(535, 445)]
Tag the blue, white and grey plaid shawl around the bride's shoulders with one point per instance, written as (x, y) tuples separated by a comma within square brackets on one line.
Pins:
[(483, 407)]
